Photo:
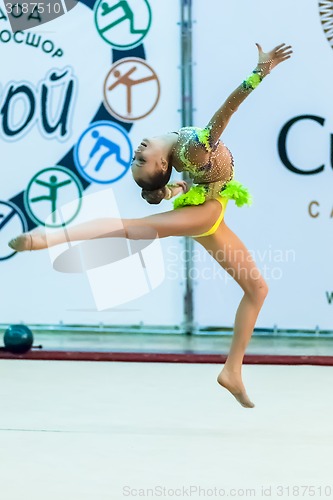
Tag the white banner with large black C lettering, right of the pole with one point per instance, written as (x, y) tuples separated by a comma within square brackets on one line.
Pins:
[(281, 138)]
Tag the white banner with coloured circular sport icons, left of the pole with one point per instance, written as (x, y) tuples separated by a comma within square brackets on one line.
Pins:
[(77, 96)]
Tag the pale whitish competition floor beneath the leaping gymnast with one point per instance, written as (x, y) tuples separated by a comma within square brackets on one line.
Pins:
[(93, 431)]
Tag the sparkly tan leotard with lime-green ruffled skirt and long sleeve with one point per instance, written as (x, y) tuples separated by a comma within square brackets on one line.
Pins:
[(209, 162)]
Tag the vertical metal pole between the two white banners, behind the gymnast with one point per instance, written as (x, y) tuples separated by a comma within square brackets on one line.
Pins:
[(187, 120)]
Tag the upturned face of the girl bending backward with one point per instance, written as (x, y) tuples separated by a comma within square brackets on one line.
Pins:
[(148, 159)]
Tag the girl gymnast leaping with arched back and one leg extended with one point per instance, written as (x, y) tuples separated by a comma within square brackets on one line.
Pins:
[(198, 212)]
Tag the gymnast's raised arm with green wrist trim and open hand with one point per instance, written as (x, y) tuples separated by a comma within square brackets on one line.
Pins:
[(267, 61)]
